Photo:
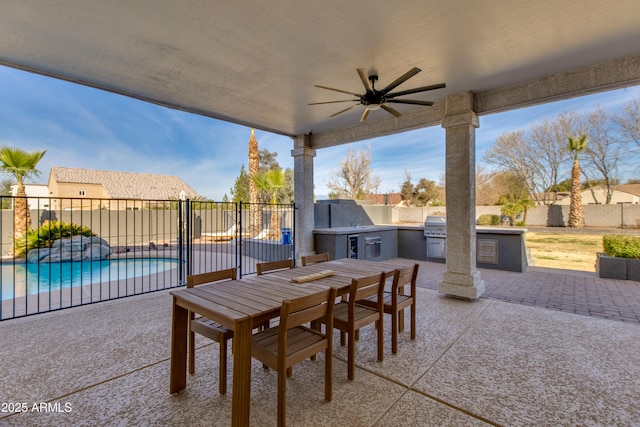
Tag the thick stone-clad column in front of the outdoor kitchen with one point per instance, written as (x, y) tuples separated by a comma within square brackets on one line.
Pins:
[(461, 278)]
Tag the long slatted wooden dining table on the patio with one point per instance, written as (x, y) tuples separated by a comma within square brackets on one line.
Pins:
[(241, 305)]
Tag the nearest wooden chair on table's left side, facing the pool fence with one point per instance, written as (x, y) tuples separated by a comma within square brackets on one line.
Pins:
[(209, 328)]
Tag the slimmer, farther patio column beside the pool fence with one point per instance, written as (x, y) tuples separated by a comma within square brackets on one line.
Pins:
[(303, 194)]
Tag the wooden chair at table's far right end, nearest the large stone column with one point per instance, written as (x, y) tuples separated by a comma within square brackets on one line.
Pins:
[(397, 299)]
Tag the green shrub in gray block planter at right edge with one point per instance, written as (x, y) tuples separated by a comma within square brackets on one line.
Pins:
[(621, 258)]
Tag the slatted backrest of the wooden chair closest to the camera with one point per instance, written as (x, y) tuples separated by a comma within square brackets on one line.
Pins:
[(302, 310)]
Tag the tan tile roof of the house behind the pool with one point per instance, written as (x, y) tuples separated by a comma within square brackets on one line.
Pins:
[(127, 185)]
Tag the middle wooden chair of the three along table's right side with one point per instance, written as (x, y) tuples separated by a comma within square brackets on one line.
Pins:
[(349, 316)]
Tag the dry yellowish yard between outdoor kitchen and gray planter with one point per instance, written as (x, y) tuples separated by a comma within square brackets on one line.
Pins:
[(564, 250)]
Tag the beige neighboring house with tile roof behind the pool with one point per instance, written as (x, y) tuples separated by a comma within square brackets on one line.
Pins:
[(91, 189)]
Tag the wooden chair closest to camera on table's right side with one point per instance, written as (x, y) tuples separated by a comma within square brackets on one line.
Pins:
[(291, 342)]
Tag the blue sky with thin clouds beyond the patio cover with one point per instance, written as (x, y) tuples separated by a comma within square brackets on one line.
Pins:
[(82, 127)]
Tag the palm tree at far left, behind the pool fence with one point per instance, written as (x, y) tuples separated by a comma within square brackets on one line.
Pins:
[(20, 164)]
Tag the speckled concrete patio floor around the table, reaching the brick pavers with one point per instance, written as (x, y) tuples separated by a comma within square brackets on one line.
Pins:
[(474, 363)]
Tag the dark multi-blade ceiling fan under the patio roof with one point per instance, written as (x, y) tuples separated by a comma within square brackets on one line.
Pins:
[(374, 99)]
